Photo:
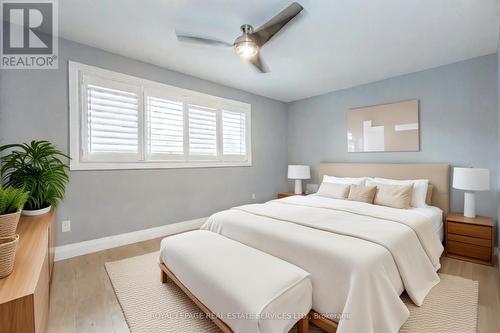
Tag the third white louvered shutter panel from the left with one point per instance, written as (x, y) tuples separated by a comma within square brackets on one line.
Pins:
[(202, 131)]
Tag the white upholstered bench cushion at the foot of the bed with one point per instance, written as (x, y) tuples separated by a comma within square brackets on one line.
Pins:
[(251, 291)]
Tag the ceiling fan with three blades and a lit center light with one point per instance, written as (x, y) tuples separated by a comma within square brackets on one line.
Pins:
[(249, 43)]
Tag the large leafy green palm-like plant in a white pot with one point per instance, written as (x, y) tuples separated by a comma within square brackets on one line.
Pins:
[(38, 169)]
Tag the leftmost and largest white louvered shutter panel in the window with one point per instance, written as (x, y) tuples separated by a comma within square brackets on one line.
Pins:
[(112, 120)]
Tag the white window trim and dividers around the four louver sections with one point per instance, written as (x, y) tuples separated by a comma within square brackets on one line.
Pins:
[(76, 107)]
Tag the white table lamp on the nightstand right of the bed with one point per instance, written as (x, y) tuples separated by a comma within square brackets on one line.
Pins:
[(471, 180)]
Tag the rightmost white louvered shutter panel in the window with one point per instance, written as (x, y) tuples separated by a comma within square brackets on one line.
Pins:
[(234, 133)]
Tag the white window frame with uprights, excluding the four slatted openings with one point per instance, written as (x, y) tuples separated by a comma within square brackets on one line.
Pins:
[(80, 74)]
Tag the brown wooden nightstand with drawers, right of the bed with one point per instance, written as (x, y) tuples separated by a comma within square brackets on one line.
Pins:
[(469, 238)]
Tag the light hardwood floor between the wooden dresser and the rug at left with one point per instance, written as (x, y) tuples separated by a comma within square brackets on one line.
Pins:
[(82, 298)]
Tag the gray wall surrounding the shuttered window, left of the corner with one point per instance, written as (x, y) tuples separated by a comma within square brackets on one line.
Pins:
[(103, 203)]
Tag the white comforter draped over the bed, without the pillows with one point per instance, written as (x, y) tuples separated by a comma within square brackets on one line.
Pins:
[(361, 257)]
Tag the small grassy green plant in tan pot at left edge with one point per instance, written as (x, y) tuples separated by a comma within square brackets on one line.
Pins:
[(12, 201)]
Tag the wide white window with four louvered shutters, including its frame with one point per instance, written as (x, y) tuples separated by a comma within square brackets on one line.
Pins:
[(123, 122)]
